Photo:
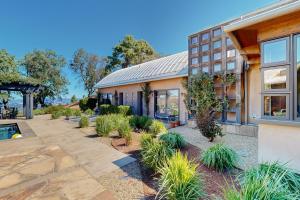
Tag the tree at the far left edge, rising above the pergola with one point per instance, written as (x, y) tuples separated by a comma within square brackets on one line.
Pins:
[(8, 63)]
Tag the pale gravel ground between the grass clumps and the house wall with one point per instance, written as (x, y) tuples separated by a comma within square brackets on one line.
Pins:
[(245, 146)]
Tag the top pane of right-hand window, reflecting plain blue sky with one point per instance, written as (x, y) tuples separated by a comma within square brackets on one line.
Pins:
[(275, 51)]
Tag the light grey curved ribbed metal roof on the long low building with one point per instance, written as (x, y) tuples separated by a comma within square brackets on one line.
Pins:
[(172, 66)]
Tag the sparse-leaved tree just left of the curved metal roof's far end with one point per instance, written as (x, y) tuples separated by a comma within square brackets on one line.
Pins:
[(90, 68)]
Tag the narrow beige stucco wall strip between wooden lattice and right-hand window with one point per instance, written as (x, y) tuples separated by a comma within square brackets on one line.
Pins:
[(254, 97)]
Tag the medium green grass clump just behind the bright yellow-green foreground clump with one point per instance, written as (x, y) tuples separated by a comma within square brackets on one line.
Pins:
[(155, 154)]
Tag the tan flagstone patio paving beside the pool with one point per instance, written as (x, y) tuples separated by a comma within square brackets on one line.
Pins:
[(59, 163)]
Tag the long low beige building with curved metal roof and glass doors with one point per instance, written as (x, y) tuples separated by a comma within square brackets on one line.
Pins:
[(164, 75)]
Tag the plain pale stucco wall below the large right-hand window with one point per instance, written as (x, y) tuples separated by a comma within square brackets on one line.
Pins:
[(277, 142)]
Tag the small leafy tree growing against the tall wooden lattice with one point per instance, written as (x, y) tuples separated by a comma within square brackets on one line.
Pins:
[(200, 89)]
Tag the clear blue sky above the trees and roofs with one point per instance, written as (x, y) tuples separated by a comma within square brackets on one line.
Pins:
[(98, 25)]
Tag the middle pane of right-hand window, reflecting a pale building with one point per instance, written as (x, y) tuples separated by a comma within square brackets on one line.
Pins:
[(275, 78)]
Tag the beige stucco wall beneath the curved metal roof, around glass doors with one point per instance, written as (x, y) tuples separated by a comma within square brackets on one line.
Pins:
[(130, 94)]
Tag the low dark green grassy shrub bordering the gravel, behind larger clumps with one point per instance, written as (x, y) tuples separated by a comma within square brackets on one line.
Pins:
[(174, 140)]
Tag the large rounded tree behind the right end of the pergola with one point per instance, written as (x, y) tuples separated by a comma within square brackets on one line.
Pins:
[(46, 66)]
